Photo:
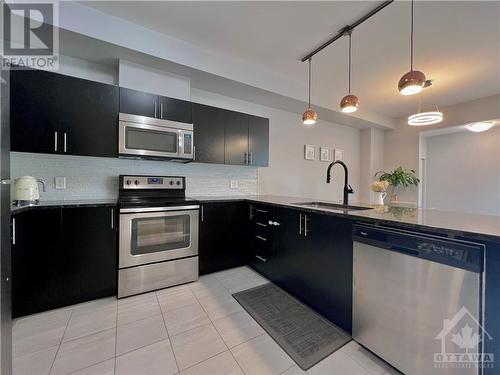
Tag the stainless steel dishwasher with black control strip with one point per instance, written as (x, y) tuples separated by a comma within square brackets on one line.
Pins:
[(405, 285)]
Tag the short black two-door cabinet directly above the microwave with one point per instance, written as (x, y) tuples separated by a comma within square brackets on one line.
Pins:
[(156, 106)]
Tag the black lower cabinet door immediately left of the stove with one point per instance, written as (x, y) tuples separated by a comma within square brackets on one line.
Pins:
[(90, 253)]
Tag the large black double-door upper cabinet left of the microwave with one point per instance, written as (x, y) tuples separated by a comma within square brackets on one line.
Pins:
[(57, 114)]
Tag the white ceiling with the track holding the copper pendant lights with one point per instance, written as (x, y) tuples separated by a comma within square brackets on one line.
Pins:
[(457, 43)]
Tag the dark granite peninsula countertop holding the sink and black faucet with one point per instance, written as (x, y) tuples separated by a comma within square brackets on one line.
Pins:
[(461, 224)]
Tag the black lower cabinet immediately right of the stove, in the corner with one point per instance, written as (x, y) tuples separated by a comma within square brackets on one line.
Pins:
[(222, 233)]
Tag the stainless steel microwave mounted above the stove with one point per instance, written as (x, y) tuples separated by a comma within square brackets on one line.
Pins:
[(145, 137)]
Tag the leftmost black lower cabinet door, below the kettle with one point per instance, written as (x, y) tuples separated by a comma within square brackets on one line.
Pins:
[(37, 261)]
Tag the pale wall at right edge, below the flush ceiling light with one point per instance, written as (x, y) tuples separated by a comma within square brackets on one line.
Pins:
[(463, 172)]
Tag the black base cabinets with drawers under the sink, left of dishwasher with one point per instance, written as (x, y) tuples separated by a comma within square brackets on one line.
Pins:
[(308, 255)]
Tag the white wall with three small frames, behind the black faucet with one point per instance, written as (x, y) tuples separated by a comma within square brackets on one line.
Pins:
[(288, 172)]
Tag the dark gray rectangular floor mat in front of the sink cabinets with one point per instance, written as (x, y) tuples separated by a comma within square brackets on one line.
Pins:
[(305, 335)]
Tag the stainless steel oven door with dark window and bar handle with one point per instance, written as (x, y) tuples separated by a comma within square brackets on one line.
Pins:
[(149, 237)]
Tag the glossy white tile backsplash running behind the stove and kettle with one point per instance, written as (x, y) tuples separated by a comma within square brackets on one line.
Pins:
[(97, 178)]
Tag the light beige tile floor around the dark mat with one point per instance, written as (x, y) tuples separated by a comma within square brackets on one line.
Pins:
[(191, 329)]
